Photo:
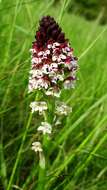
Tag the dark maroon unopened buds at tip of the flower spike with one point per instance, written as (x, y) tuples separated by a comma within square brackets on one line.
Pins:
[(49, 30)]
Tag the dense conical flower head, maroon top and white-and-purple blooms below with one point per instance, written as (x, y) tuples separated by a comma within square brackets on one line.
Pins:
[(53, 63)]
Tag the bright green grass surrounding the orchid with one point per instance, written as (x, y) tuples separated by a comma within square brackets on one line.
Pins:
[(77, 153)]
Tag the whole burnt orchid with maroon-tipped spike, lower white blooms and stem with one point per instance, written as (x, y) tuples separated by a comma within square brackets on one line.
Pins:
[(53, 68)]
